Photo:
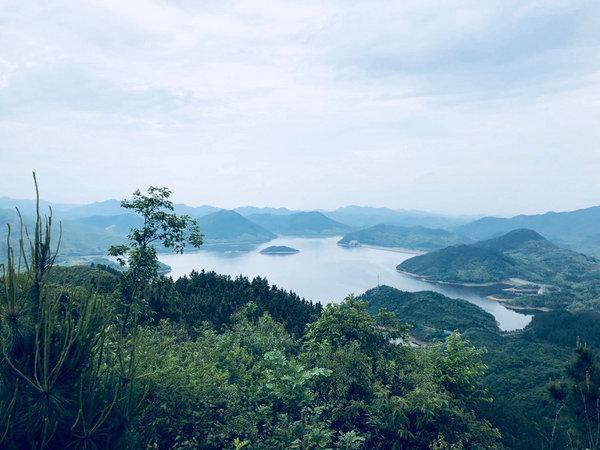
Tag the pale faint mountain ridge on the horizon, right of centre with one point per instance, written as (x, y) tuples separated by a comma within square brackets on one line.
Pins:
[(366, 216)]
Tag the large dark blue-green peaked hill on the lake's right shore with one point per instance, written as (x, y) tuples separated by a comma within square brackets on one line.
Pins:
[(520, 253)]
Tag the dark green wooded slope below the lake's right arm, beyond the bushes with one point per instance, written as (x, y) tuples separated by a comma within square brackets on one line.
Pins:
[(520, 364)]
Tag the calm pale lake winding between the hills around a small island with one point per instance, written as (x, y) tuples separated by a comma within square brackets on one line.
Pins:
[(326, 272)]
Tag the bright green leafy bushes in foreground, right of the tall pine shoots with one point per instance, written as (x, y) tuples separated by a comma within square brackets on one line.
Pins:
[(343, 385)]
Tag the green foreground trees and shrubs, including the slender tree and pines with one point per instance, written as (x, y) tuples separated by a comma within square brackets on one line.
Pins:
[(97, 358)]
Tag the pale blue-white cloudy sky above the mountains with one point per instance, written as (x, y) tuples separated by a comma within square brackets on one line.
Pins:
[(462, 107)]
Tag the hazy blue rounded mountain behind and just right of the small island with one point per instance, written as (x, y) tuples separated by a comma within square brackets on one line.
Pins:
[(312, 223)]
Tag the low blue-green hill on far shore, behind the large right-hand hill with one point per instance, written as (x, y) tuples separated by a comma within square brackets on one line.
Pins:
[(412, 238)]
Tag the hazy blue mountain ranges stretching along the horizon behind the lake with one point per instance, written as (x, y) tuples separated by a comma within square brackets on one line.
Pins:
[(88, 228)]
